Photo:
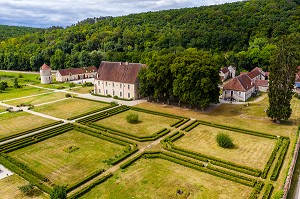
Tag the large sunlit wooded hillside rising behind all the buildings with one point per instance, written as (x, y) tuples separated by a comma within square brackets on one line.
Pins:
[(241, 33)]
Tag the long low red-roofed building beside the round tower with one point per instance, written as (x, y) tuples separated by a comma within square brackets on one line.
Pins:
[(71, 74)]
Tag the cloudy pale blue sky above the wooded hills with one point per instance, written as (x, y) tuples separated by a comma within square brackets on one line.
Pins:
[(47, 13)]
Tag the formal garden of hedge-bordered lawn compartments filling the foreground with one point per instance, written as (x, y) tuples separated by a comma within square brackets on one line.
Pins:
[(256, 181)]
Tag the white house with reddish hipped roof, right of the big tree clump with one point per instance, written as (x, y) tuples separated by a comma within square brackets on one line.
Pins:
[(239, 88)]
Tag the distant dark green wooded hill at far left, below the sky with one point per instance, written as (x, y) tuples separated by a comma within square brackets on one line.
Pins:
[(15, 31)]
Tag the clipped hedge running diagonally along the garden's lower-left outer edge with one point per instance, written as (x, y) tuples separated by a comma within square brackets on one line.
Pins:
[(29, 177)]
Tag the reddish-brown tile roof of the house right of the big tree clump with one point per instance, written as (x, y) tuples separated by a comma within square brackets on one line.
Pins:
[(239, 83)]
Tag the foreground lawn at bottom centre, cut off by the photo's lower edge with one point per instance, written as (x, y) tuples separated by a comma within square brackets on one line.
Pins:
[(157, 178)]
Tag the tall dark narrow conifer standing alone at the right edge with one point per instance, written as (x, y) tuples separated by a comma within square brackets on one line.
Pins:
[(282, 78)]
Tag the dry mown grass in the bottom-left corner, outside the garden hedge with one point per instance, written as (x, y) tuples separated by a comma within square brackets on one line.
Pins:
[(9, 188)]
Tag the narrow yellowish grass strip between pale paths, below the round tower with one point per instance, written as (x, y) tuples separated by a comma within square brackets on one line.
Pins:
[(47, 97)]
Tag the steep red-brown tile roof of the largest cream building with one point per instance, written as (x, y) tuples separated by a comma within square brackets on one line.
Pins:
[(119, 71)]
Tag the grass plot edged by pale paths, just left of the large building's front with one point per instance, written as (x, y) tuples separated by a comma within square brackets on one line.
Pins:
[(69, 108)]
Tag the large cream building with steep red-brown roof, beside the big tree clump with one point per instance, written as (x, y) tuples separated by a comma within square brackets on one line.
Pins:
[(118, 79)]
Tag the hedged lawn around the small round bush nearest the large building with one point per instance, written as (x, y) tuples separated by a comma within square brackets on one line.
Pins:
[(148, 125)]
